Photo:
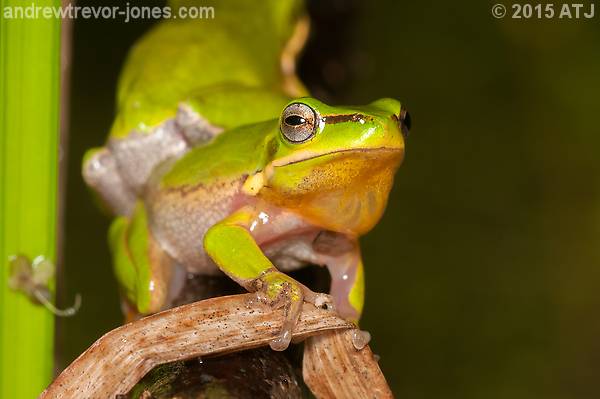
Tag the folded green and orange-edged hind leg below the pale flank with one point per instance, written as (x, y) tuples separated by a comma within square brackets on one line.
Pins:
[(142, 268)]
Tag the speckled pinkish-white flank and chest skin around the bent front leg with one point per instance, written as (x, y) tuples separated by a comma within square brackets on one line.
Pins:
[(179, 218)]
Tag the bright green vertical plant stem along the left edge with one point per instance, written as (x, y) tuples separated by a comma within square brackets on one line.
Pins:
[(29, 137)]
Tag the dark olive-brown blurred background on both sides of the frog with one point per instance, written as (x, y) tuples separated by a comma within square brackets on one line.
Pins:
[(483, 276)]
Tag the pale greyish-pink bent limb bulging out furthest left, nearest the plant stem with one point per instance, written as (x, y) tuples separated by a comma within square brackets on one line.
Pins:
[(101, 172)]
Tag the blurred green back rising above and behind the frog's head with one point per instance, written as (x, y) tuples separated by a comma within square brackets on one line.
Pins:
[(240, 48)]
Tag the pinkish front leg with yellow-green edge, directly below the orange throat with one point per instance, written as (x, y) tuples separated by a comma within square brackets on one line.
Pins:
[(348, 284)]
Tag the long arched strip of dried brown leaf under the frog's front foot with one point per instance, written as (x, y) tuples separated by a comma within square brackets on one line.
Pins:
[(119, 359)]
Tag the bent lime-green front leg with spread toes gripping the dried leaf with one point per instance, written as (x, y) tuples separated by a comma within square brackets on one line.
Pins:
[(232, 246)]
